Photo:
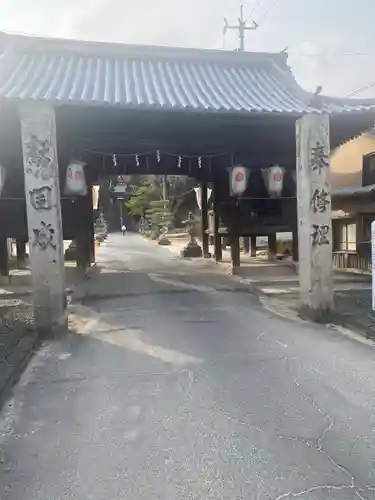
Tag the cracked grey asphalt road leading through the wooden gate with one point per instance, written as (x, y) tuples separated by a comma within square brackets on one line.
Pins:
[(182, 386)]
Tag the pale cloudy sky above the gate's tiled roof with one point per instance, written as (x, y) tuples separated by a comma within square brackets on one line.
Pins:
[(330, 42)]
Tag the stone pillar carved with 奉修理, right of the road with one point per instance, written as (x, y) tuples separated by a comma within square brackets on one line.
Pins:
[(314, 215)]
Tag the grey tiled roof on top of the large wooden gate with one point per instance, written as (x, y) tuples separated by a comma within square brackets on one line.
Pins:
[(64, 72)]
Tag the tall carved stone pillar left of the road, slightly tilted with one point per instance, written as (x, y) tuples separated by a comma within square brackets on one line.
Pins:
[(42, 193)]
